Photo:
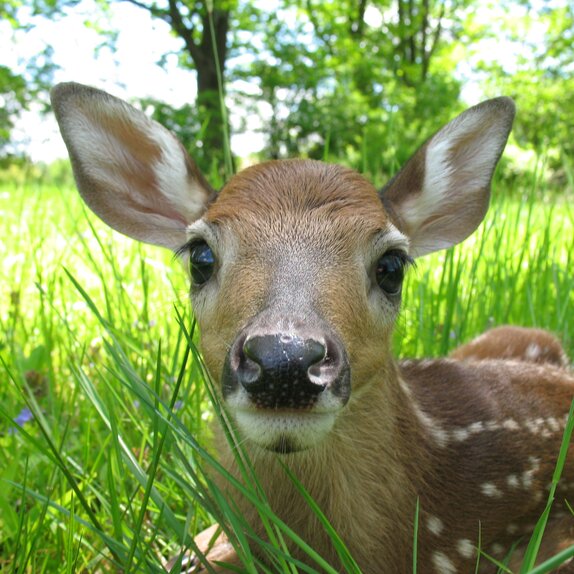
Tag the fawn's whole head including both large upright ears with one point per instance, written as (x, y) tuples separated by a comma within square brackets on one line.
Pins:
[(296, 266)]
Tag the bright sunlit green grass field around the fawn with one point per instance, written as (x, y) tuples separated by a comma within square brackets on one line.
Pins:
[(104, 413)]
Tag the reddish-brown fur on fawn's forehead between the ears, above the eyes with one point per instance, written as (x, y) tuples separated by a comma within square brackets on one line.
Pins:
[(302, 194)]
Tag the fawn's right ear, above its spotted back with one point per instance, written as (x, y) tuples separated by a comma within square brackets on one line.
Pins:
[(441, 195)]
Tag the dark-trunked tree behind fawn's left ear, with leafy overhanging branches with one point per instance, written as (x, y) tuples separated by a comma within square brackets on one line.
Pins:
[(202, 25)]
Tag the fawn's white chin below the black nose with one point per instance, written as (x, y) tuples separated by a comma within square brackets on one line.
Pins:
[(284, 433)]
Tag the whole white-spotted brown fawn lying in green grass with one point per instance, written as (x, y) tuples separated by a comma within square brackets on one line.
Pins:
[(296, 270)]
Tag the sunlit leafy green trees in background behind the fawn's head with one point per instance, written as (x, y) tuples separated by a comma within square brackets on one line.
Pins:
[(359, 82)]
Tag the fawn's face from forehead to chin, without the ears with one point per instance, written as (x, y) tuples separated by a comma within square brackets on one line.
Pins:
[(298, 274)]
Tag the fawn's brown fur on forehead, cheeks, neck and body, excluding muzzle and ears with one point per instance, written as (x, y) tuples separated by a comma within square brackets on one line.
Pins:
[(381, 455)]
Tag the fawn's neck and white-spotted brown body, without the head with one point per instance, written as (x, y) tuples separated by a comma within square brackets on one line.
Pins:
[(367, 478)]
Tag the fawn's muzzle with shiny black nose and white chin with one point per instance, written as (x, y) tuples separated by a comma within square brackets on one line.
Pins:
[(285, 385)]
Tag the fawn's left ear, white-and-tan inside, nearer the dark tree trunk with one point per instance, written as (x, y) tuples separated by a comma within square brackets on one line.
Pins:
[(130, 170)]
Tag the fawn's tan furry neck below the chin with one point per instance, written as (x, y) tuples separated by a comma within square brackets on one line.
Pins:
[(362, 476)]
